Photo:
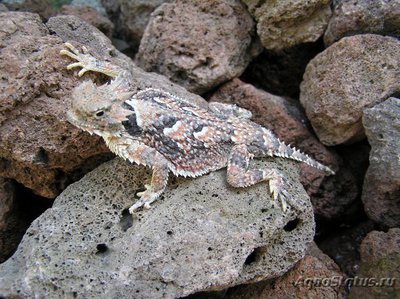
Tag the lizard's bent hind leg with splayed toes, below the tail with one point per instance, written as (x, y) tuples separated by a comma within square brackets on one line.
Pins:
[(238, 175)]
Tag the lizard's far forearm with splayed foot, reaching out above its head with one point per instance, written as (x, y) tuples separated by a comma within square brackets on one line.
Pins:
[(89, 63)]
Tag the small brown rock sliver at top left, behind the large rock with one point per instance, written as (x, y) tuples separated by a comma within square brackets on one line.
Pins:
[(90, 15)]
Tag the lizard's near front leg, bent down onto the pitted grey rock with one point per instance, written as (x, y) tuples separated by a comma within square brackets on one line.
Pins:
[(142, 154)]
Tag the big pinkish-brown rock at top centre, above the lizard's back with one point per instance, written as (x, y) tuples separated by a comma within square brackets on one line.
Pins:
[(198, 44)]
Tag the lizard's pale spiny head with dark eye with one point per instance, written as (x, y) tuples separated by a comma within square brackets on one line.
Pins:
[(98, 109)]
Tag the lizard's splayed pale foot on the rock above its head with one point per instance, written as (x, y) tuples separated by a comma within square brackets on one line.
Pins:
[(84, 60)]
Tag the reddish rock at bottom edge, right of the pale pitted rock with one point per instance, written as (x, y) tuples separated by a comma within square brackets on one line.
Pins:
[(296, 283)]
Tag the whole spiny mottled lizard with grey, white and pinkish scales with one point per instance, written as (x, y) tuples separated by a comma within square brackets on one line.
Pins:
[(161, 131)]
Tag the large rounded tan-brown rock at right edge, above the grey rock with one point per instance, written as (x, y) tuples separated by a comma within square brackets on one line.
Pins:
[(339, 83)]
